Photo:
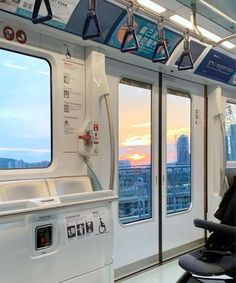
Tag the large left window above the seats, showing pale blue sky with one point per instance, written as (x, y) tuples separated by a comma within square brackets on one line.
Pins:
[(25, 111)]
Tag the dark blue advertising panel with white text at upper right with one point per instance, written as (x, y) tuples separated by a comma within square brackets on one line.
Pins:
[(218, 66)]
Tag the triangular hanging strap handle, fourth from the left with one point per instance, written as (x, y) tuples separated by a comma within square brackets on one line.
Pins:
[(161, 45)]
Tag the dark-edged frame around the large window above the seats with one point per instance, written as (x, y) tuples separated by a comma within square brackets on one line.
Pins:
[(33, 55)]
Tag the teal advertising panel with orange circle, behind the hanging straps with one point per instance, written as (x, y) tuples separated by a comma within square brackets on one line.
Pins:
[(147, 35)]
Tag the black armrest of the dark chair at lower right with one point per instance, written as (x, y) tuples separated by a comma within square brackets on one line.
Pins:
[(215, 227)]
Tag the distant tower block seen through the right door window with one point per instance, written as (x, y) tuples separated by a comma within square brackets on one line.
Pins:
[(183, 150)]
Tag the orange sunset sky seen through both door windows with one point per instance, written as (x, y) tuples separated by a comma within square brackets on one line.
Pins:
[(135, 122)]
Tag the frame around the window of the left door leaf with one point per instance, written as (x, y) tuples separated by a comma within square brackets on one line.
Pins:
[(149, 86)]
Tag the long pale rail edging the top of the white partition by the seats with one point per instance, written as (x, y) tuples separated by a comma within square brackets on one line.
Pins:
[(25, 211)]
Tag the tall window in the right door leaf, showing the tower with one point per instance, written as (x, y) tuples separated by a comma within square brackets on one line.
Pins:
[(178, 165)]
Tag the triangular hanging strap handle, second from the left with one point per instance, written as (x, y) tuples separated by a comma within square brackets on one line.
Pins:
[(91, 16)]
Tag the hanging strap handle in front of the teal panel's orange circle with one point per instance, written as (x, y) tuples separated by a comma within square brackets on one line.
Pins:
[(130, 33)]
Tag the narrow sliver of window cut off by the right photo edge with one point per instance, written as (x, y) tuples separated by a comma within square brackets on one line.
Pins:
[(230, 131)]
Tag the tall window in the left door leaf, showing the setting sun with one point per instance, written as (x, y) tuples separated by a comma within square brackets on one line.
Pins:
[(135, 186)]
